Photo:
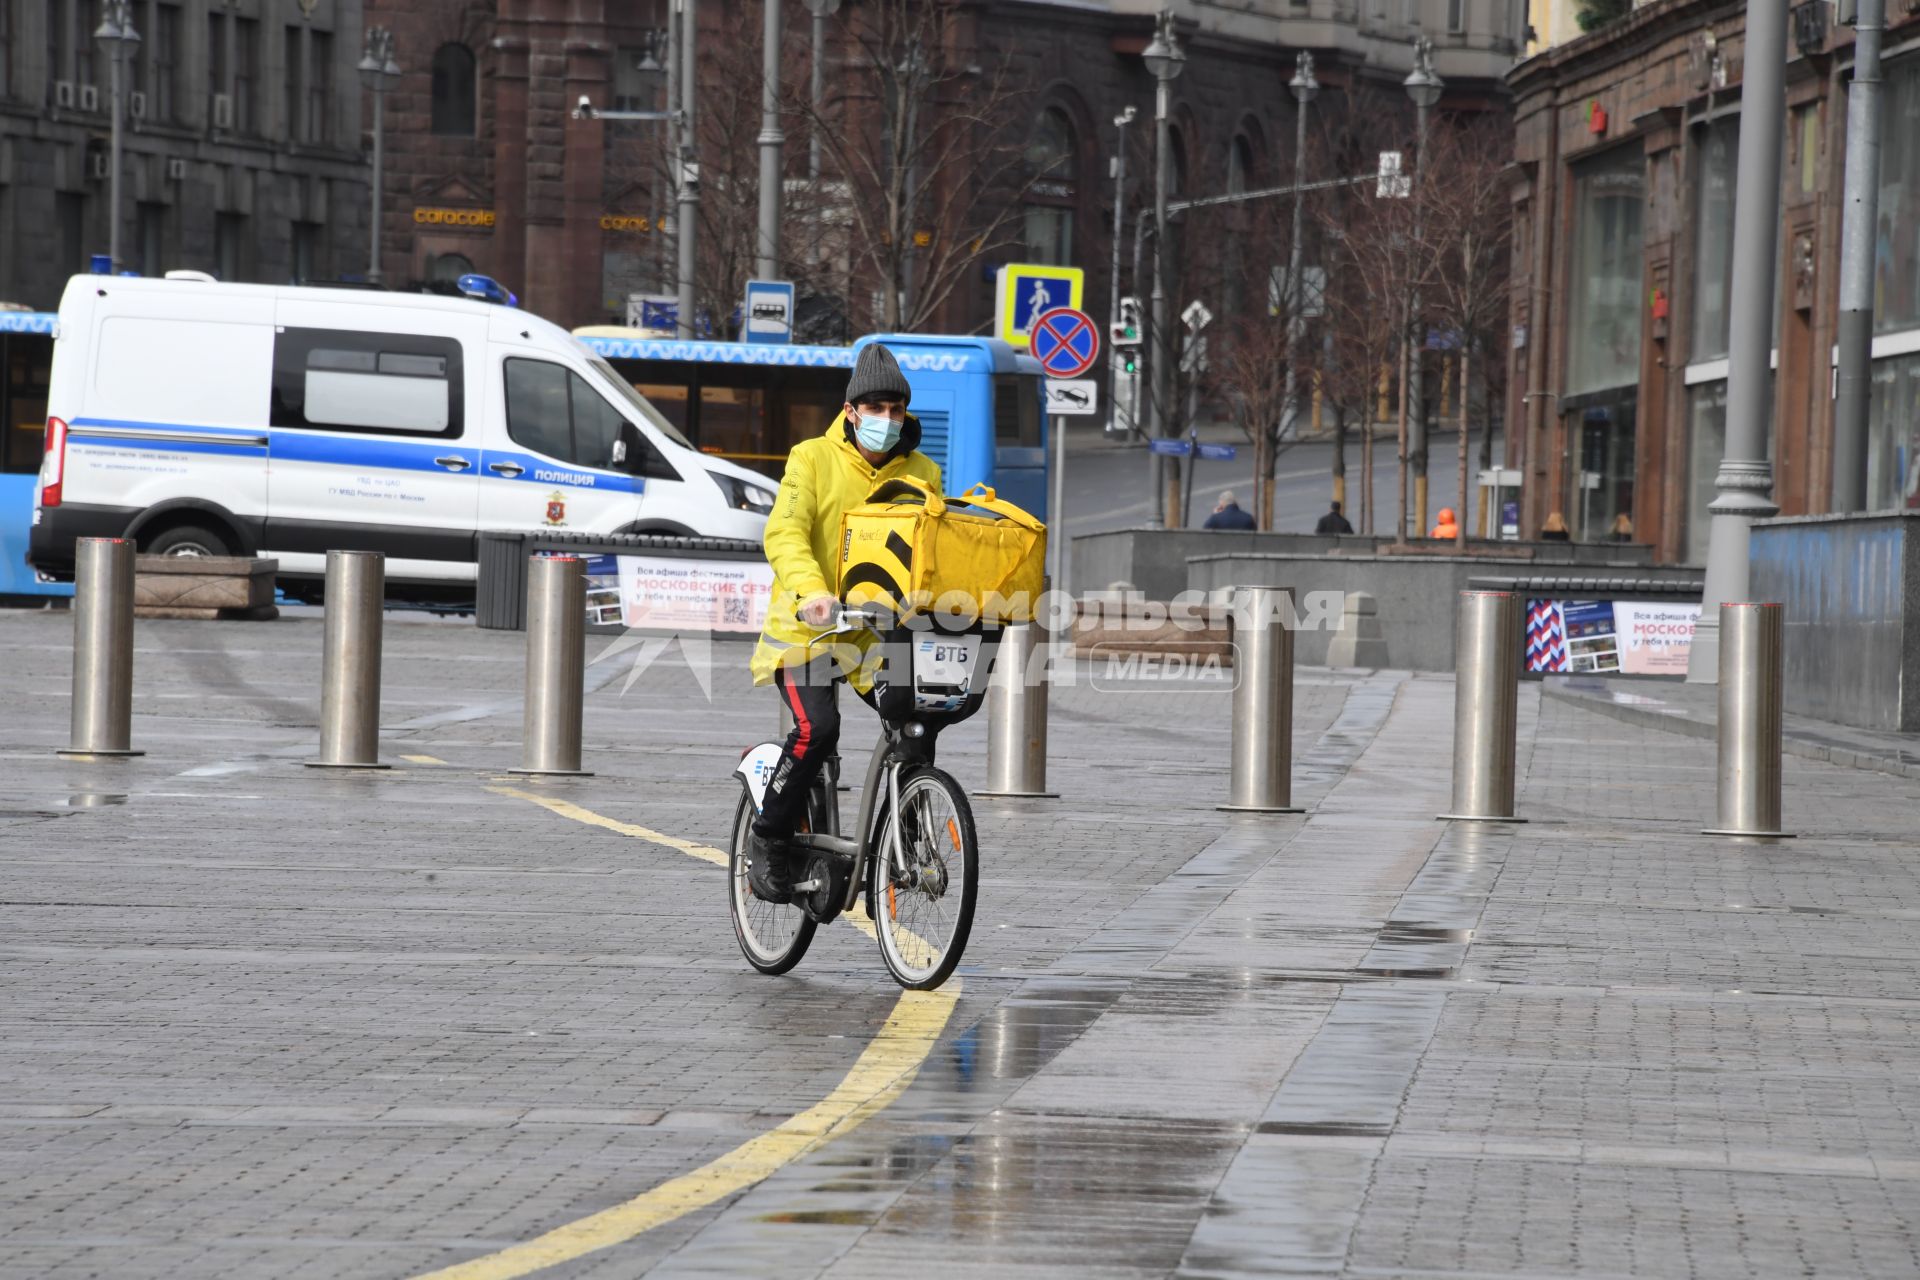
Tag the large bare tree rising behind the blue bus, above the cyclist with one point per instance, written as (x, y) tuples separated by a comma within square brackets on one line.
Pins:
[(930, 172)]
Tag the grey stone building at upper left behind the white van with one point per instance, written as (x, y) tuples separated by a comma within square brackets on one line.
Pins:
[(243, 143)]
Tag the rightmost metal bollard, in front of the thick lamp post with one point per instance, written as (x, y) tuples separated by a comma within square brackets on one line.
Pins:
[(1752, 694)]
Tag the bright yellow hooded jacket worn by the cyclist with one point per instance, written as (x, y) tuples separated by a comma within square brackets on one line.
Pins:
[(825, 477)]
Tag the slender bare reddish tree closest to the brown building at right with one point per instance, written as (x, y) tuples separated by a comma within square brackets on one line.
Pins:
[(1470, 235)]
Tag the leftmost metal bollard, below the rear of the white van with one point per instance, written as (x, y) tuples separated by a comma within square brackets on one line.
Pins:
[(103, 650)]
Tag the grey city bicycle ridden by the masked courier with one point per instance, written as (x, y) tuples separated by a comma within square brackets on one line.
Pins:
[(913, 843)]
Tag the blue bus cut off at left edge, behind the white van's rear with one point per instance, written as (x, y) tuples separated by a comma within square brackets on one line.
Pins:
[(26, 360)]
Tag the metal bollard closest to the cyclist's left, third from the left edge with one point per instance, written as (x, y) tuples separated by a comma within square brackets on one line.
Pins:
[(556, 665)]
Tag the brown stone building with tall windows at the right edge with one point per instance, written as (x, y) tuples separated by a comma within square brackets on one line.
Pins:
[(1627, 145)]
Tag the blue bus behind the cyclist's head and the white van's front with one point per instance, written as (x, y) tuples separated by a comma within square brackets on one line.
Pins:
[(980, 404)]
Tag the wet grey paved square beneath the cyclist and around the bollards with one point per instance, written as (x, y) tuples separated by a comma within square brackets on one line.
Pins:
[(264, 1022)]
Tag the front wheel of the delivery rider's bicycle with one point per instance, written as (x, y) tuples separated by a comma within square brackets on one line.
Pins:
[(924, 897)]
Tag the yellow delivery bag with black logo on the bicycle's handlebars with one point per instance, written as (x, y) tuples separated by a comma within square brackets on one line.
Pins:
[(911, 550)]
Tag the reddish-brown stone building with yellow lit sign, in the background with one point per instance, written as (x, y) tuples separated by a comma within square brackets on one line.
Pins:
[(491, 172)]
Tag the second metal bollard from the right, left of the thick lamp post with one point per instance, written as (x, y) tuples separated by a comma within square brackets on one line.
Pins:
[(1487, 692)]
